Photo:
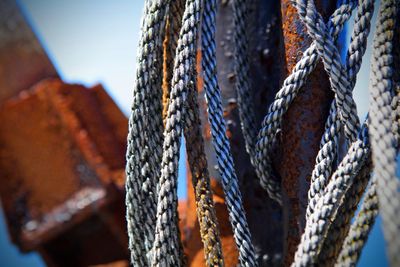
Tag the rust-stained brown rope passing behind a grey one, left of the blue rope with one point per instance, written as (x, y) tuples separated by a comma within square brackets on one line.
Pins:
[(196, 156)]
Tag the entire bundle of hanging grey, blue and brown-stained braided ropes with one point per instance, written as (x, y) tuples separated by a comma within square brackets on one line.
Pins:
[(170, 36)]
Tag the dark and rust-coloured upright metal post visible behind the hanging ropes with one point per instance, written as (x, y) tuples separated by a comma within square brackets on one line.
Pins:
[(277, 42)]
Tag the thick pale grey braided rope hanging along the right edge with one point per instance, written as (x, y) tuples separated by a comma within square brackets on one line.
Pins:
[(383, 141)]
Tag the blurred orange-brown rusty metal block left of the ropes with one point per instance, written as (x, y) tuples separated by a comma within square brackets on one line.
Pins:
[(62, 159)]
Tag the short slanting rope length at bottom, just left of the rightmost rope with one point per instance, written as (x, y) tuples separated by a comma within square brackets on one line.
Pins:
[(359, 230)]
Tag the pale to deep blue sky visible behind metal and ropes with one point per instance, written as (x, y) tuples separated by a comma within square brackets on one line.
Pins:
[(94, 41)]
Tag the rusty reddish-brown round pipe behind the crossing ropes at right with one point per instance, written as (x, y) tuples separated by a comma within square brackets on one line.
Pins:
[(303, 125)]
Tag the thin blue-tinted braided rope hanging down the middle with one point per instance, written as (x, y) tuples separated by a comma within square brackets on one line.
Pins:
[(221, 143)]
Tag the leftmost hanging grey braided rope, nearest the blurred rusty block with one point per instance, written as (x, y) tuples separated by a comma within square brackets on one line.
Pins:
[(140, 186)]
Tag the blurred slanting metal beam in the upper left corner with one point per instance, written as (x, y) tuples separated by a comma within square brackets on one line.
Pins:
[(23, 61)]
